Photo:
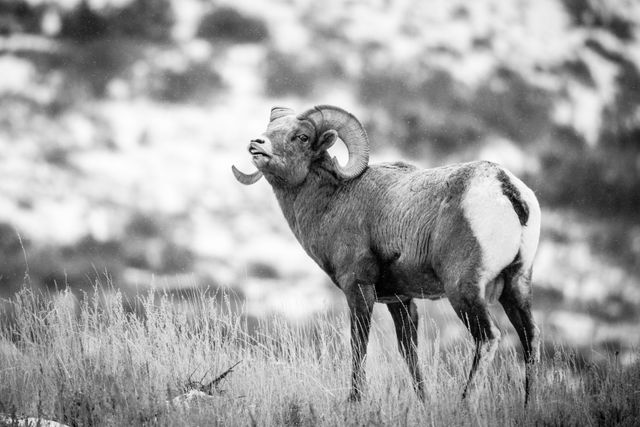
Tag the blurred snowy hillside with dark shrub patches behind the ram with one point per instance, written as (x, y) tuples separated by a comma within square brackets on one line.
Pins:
[(119, 120)]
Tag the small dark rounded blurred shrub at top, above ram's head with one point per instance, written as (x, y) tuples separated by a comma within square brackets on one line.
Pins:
[(228, 24)]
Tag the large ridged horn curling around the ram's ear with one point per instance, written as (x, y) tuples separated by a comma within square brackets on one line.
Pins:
[(349, 129)]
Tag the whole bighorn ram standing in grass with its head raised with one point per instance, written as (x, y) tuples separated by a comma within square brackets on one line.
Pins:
[(391, 232)]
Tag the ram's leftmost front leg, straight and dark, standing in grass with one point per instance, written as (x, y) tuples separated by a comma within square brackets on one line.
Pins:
[(360, 298)]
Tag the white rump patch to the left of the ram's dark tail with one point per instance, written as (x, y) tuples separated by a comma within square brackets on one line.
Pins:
[(493, 222)]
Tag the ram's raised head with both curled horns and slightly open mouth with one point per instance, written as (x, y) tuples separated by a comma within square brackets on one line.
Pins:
[(286, 151)]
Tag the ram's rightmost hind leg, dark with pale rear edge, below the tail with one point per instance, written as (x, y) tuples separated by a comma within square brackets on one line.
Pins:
[(516, 301)]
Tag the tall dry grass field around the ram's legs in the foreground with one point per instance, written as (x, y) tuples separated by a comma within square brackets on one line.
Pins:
[(111, 360)]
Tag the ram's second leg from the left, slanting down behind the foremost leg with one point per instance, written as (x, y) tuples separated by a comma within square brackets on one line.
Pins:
[(405, 319)]
